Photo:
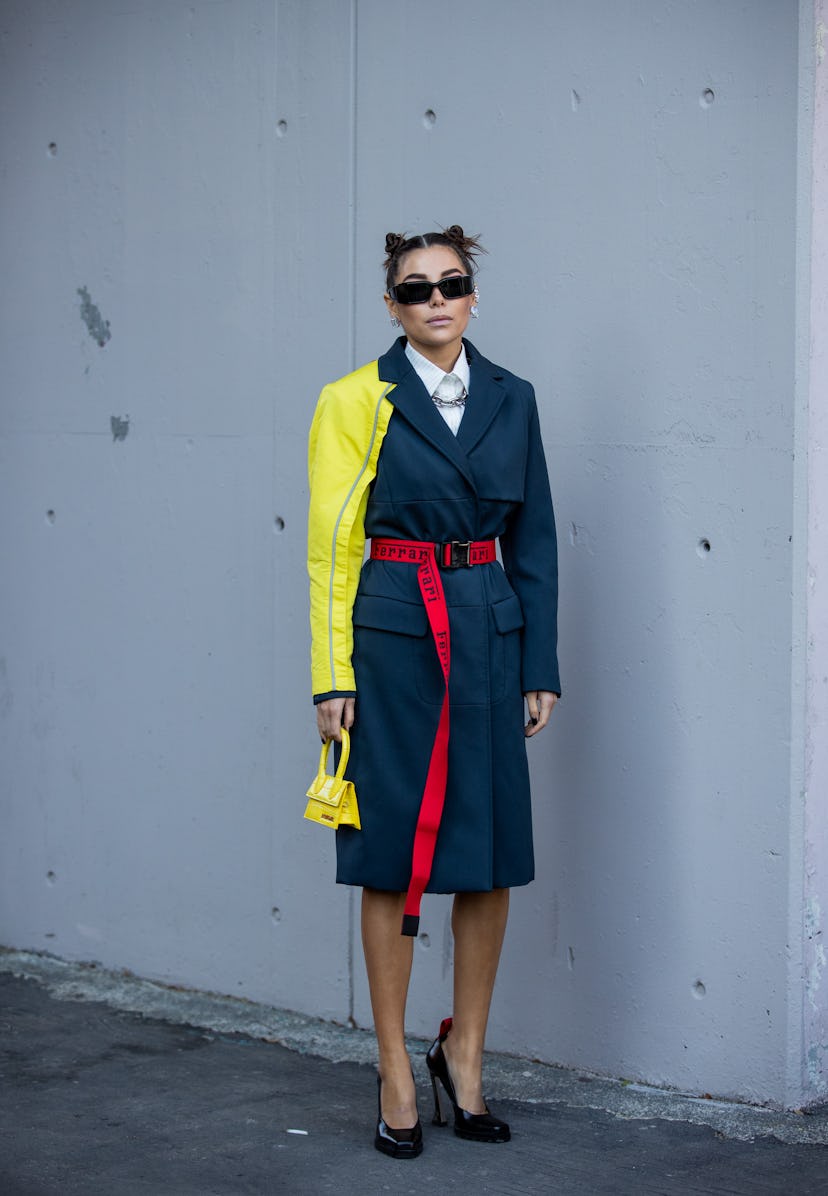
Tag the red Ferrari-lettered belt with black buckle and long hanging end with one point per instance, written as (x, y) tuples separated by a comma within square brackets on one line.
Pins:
[(454, 556)]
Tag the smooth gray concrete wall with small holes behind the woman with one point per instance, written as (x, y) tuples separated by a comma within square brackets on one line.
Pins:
[(205, 188)]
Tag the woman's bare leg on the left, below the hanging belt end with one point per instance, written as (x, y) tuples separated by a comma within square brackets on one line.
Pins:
[(388, 961)]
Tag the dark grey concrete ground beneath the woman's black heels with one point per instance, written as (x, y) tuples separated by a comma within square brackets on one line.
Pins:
[(114, 1087)]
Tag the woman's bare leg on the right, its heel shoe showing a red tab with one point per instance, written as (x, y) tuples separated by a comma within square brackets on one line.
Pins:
[(479, 924)]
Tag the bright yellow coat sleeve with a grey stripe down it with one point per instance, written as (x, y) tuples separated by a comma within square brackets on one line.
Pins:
[(346, 436)]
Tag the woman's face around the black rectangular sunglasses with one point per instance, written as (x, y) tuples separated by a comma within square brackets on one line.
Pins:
[(433, 328)]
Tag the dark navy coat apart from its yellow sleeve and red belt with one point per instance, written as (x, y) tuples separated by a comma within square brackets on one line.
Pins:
[(488, 483)]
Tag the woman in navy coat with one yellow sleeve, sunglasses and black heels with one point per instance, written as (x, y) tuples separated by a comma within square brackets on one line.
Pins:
[(425, 654)]
